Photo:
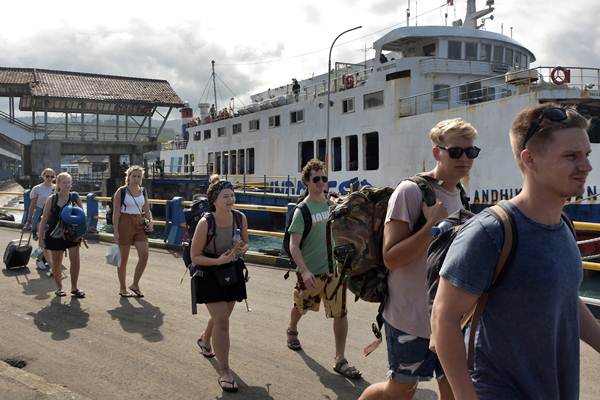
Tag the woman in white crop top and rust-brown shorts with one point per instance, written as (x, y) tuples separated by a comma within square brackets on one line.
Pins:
[(132, 221)]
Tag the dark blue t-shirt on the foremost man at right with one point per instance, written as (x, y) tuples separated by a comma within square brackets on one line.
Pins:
[(527, 346)]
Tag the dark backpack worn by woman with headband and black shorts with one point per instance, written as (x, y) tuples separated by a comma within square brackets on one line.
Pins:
[(200, 208)]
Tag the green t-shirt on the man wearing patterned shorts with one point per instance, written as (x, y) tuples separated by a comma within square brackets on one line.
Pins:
[(314, 247)]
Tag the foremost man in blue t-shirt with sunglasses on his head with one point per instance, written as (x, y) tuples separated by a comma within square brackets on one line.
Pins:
[(527, 344)]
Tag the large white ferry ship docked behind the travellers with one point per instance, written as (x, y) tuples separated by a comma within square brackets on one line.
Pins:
[(381, 112)]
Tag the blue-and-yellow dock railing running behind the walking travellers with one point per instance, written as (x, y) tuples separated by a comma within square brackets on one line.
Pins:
[(175, 225)]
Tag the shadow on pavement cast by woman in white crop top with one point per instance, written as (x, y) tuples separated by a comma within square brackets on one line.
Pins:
[(145, 320)]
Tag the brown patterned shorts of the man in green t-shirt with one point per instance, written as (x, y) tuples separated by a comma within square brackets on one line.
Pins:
[(310, 299)]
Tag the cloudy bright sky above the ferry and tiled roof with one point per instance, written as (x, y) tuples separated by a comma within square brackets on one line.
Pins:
[(262, 43)]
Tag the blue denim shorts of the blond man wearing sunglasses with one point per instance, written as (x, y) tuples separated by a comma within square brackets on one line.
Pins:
[(409, 357)]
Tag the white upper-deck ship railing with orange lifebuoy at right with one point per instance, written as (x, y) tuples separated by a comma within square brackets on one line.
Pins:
[(584, 81)]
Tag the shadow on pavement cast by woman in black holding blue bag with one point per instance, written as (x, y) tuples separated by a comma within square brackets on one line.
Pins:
[(59, 318)]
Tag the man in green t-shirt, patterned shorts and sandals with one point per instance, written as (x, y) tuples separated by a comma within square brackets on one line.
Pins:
[(315, 281)]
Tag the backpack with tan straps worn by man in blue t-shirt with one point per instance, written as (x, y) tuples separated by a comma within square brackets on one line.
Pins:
[(438, 249)]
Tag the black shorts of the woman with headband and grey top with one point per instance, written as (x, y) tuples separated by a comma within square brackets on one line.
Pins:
[(208, 289)]
